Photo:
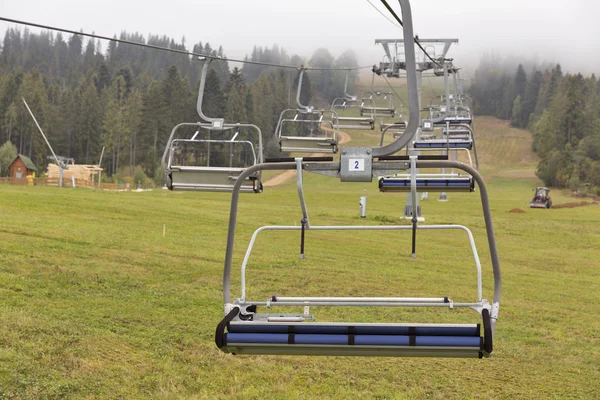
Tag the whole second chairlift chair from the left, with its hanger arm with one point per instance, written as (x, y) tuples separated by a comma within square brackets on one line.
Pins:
[(306, 129)]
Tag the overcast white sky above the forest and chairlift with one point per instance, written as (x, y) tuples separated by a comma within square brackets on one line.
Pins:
[(552, 30)]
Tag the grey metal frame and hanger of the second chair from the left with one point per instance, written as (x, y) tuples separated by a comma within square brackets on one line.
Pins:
[(327, 143)]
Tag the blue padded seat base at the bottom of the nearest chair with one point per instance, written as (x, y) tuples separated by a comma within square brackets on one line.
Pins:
[(309, 338)]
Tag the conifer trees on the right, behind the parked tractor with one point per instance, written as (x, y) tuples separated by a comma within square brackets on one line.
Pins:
[(561, 110)]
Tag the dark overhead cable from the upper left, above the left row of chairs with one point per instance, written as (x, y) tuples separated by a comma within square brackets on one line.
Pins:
[(184, 52)]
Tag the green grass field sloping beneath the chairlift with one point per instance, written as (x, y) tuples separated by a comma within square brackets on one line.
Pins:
[(96, 303)]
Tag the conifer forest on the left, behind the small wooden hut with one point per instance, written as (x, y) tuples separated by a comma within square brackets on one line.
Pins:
[(127, 99)]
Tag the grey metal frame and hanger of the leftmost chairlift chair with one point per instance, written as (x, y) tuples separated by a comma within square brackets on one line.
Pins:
[(211, 178)]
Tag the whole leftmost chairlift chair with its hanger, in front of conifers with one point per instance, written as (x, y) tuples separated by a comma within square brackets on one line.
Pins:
[(214, 155)]
